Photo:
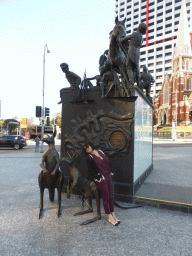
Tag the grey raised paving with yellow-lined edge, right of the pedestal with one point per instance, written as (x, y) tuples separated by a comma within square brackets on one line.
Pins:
[(170, 183)]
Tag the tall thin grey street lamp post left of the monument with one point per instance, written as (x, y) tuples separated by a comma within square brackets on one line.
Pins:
[(43, 110)]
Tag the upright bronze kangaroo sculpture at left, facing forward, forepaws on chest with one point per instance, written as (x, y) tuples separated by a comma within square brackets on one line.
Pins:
[(50, 177)]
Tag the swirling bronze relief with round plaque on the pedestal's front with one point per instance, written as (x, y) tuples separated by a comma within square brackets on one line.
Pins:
[(109, 131)]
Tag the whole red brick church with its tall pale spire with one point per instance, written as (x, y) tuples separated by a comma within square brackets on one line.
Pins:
[(173, 103)]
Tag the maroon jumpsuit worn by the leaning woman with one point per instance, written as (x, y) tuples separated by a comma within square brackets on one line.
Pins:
[(106, 184)]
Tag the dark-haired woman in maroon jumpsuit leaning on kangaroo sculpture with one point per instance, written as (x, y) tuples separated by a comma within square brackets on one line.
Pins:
[(100, 171)]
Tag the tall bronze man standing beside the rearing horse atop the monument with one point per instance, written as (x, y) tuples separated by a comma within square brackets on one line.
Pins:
[(133, 56)]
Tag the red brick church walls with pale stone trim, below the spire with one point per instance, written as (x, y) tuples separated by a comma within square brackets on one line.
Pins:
[(174, 101)]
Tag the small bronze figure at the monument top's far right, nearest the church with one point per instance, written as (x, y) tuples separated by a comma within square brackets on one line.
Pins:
[(146, 80)]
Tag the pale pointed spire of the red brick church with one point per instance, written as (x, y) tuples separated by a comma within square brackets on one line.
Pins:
[(183, 44)]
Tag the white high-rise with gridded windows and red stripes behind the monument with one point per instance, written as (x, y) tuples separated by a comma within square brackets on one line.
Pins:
[(162, 19)]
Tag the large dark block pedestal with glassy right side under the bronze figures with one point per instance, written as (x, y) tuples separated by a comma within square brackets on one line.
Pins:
[(121, 127)]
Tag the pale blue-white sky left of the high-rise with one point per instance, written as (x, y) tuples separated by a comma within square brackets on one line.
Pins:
[(75, 31)]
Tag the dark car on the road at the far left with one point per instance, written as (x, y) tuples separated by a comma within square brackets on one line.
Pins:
[(15, 141)]
